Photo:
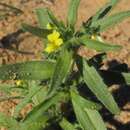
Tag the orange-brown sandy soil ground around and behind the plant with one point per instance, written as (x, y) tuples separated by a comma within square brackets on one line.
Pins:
[(117, 35)]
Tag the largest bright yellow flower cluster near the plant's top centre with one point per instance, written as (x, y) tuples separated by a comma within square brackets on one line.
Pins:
[(54, 41)]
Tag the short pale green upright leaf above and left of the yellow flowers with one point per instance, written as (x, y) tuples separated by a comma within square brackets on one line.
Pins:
[(43, 17)]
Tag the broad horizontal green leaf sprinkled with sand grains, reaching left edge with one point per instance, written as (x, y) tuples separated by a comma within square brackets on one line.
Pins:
[(33, 70)]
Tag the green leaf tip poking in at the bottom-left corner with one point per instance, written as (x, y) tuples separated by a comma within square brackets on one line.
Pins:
[(7, 121)]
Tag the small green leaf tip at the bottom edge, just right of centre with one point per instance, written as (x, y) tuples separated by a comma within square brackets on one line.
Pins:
[(66, 125)]
